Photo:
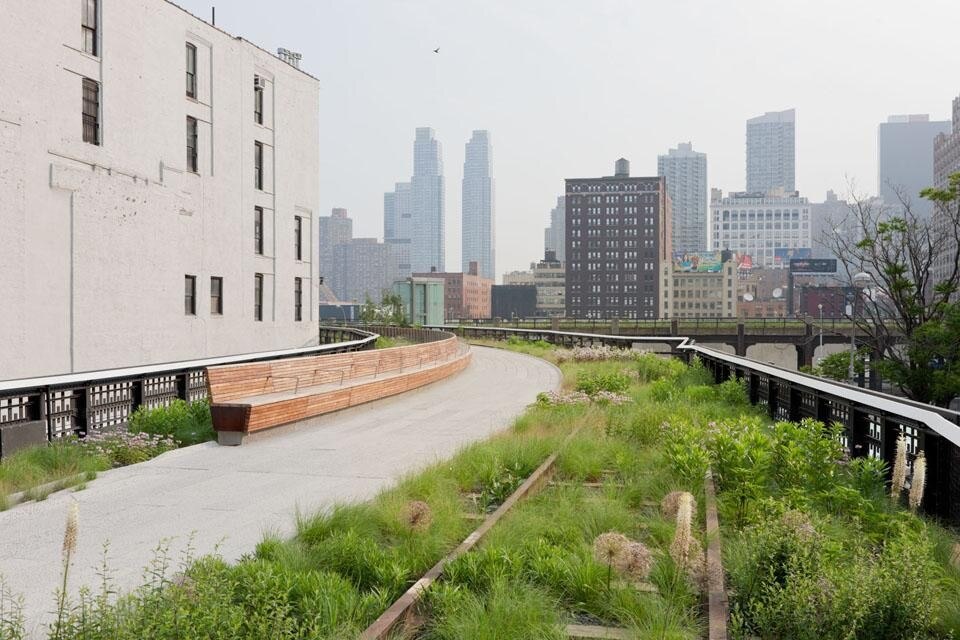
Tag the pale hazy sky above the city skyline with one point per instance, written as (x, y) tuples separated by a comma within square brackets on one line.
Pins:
[(566, 87)]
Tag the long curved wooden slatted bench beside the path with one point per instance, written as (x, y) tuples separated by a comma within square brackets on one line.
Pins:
[(246, 398)]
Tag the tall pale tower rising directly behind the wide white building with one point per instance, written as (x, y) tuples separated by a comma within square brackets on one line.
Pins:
[(771, 152)]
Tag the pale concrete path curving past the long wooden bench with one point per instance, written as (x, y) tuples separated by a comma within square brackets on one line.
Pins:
[(231, 496)]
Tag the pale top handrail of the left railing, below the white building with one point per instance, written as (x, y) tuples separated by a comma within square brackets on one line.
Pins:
[(364, 337)]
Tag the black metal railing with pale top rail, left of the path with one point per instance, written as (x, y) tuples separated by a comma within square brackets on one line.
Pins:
[(52, 407)]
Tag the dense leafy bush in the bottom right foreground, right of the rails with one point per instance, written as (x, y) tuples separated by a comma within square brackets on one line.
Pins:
[(793, 579)]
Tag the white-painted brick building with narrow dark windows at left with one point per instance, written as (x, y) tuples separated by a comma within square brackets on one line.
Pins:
[(158, 190)]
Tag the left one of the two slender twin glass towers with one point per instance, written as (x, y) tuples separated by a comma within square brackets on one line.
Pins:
[(427, 204)]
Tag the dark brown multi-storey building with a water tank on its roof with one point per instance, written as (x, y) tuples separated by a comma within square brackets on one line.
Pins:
[(617, 236)]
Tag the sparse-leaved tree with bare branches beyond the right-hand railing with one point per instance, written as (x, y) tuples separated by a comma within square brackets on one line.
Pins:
[(899, 250)]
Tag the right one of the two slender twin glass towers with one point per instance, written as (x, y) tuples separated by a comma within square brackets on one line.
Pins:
[(477, 231)]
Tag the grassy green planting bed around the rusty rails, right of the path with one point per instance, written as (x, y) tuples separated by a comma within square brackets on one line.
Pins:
[(814, 544)]
